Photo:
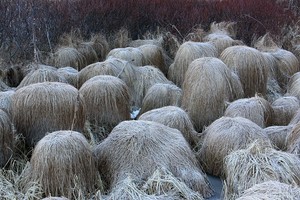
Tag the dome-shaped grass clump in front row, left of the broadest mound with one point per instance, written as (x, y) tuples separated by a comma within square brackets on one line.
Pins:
[(60, 162)]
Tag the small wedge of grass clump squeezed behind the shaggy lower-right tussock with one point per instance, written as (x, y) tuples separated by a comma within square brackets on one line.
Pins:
[(278, 135)]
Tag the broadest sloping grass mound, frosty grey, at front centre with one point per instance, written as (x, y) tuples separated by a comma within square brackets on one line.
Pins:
[(140, 147)]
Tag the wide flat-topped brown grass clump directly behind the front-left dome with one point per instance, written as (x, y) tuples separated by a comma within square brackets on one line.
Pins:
[(46, 107)]
